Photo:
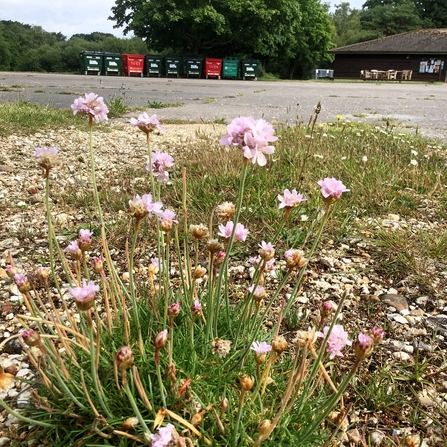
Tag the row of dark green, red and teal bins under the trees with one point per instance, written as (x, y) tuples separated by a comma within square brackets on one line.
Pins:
[(156, 66)]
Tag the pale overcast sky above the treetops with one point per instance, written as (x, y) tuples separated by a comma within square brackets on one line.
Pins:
[(75, 16)]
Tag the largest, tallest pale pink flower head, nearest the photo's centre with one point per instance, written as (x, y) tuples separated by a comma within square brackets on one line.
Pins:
[(252, 137)]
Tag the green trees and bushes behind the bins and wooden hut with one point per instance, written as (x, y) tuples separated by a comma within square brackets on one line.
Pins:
[(289, 37)]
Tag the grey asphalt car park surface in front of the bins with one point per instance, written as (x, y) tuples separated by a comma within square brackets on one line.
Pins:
[(413, 105)]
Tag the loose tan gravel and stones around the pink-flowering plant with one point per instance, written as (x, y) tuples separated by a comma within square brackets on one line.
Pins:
[(416, 321)]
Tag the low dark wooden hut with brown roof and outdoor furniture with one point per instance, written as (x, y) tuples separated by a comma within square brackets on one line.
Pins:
[(416, 55)]
